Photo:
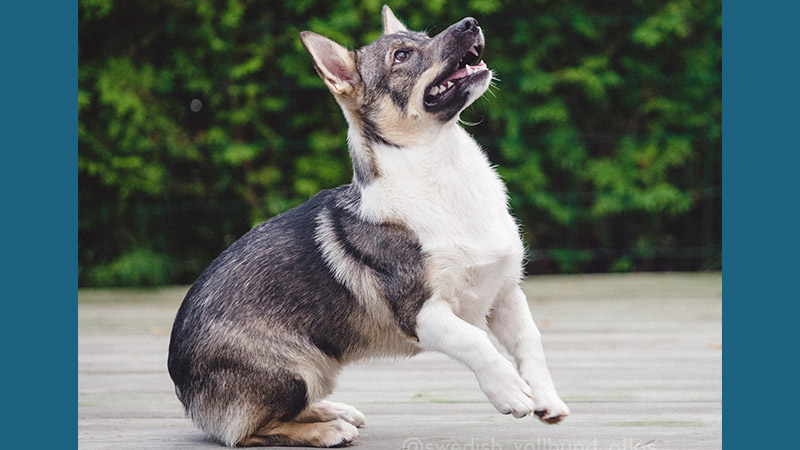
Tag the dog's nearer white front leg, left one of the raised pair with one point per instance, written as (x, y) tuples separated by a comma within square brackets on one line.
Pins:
[(439, 329)]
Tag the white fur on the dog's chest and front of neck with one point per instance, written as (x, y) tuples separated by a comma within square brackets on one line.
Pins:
[(449, 195)]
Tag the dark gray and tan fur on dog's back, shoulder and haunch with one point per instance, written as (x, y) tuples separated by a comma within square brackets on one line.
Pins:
[(269, 309)]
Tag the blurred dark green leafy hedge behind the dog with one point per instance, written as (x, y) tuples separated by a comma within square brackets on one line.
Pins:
[(199, 119)]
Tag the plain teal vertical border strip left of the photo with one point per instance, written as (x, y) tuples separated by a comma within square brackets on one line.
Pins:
[(40, 222)]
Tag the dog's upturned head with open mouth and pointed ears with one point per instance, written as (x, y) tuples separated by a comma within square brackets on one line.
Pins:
[(405, 84)]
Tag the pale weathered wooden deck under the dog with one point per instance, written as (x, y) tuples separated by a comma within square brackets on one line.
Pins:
[(637, 357)]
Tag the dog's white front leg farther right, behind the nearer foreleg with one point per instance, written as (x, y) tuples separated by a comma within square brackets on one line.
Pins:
[(513, 325)]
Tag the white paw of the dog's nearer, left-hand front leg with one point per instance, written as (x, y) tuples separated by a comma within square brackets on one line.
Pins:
[(507, 392)]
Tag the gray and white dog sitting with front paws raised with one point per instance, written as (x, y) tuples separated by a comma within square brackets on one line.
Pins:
[(417, 253)]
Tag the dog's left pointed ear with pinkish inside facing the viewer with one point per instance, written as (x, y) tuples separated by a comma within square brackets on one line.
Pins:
[(335, 64)]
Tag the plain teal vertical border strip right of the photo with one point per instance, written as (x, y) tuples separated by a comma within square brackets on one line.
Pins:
[(760, 223)]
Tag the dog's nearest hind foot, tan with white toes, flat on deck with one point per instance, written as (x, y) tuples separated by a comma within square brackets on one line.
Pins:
[(333, 433)]
